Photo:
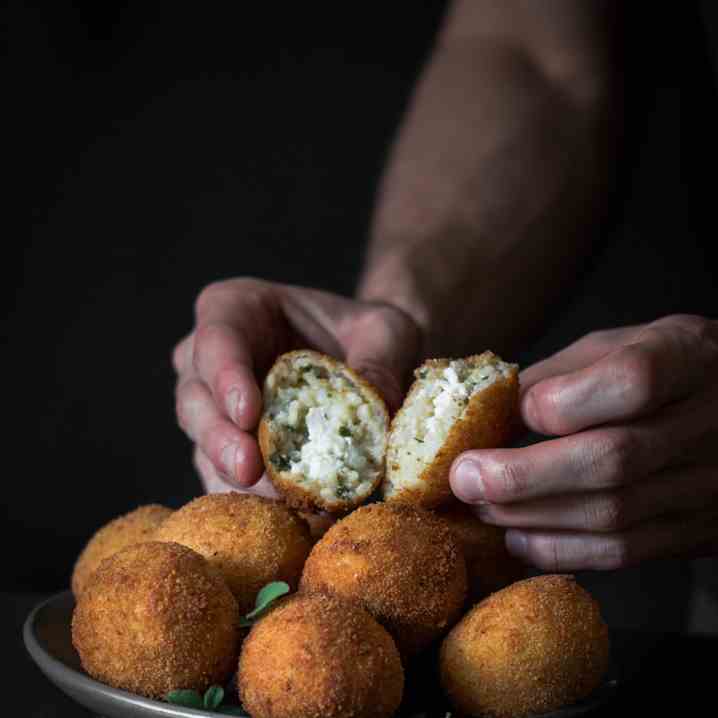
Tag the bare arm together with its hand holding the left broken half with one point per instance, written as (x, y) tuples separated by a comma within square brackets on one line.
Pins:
[(509, 93)]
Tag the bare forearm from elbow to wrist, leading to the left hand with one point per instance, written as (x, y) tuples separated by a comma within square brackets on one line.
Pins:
[(487, 203)]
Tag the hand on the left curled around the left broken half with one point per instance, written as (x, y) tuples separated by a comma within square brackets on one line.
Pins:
[(241, 326)]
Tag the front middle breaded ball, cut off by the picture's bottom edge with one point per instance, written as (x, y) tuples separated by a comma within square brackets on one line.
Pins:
[(316, 656)]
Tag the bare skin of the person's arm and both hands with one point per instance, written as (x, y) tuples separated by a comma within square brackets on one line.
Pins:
[(489, 200)]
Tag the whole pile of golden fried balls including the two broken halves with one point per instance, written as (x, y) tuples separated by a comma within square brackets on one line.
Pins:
[(376, 588)]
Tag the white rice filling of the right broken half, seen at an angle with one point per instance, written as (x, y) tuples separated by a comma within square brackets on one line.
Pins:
[(440, 400)]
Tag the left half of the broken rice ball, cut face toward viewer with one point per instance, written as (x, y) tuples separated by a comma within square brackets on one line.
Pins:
[(323, 432)]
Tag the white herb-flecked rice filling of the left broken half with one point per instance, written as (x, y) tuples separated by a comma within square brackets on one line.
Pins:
[(331, 438)]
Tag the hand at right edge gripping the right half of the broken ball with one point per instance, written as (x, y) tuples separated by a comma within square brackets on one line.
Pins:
[(633, 473)]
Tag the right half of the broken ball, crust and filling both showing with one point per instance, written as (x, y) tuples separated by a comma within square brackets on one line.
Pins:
[(453, 405)]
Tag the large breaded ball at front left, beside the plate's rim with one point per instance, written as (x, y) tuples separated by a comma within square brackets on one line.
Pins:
[(155, 617)]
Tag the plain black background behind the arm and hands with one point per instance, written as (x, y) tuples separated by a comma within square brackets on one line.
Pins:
[(164, 148)]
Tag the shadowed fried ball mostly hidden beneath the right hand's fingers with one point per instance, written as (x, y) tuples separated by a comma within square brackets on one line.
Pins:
[(489, 566)]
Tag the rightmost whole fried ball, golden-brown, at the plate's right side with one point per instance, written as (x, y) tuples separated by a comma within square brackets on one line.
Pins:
[(531, 648)]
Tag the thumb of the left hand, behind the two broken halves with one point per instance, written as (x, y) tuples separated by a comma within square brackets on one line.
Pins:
[(383, 347)]
